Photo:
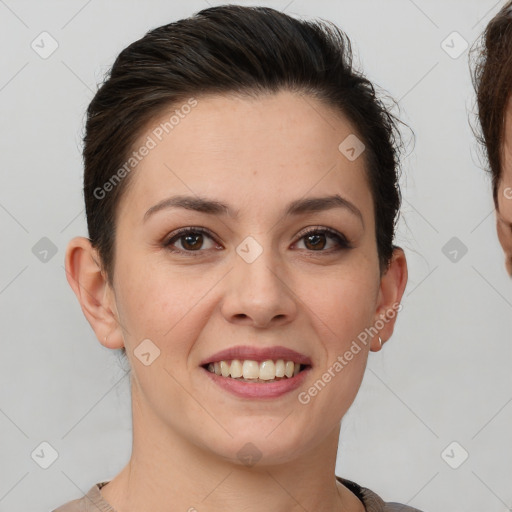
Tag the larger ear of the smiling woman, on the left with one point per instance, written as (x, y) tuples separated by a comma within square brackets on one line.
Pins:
[(96, 297)]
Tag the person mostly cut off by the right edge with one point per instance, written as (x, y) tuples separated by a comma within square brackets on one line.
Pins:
[(492, 78)]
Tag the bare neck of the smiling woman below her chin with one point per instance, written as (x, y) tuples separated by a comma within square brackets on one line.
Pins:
[(165, 468)]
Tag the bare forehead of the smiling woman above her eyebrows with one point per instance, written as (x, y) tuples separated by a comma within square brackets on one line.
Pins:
[(274, 146)]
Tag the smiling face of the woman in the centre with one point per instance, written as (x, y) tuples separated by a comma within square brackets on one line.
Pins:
[(270, 275)]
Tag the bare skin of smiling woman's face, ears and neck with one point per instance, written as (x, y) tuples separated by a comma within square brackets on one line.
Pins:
[(257, 156)]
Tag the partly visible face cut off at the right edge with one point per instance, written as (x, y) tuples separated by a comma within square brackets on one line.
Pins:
[(504, 199)]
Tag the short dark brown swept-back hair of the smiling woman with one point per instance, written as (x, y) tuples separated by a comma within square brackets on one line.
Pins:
[(239, 50)]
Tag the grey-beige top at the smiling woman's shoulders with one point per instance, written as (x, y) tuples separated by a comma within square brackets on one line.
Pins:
[(93, 501)]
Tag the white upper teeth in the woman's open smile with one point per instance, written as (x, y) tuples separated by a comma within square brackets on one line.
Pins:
[(249, 369)]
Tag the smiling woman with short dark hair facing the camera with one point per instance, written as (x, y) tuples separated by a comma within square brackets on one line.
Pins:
[(241, 190)]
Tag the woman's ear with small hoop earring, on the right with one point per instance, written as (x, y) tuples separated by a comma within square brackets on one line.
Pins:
[(392, 286)]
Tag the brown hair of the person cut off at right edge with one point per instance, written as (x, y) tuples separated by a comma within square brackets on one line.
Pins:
[(492, 79)]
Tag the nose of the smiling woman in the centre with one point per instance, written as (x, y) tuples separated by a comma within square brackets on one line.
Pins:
[(259, 293)]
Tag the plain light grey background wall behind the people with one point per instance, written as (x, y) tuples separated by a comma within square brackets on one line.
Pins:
[(443, 377)]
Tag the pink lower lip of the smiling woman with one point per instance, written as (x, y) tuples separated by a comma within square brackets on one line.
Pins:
[(258, 389)]
